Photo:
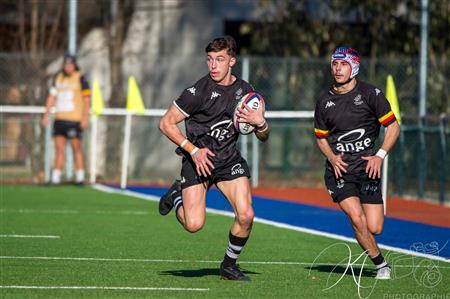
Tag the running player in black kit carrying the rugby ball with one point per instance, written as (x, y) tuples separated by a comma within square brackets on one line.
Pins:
[(209, 151)]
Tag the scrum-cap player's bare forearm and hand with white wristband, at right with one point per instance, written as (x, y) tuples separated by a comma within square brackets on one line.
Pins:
[(373, 167)]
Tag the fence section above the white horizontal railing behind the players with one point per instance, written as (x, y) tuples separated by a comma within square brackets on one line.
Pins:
[(288, 83)]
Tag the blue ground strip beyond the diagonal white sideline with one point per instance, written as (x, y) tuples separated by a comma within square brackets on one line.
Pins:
[(399, 233)]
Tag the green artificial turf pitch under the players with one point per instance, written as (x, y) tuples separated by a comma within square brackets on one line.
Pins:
[(105, 240)]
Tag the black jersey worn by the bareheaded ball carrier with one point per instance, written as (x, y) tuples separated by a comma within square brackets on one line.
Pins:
[(209, 109)]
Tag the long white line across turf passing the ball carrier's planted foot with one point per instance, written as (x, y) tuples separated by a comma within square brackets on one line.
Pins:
[(180, 261)]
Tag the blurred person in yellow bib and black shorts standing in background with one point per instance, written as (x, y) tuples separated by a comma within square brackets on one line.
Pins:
[(70, 94)]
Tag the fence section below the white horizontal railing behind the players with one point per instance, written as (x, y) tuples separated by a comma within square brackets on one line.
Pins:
[(289, 158)]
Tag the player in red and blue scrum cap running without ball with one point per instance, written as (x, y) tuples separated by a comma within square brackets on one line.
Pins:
[(347, 122)]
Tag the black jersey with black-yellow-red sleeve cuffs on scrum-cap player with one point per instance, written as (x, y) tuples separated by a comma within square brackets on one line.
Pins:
[(351, 122)]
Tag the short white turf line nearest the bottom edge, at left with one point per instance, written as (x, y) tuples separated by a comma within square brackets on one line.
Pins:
[(102, 288)]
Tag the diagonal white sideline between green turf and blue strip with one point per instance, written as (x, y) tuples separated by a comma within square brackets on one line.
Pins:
[(273, 223)]
